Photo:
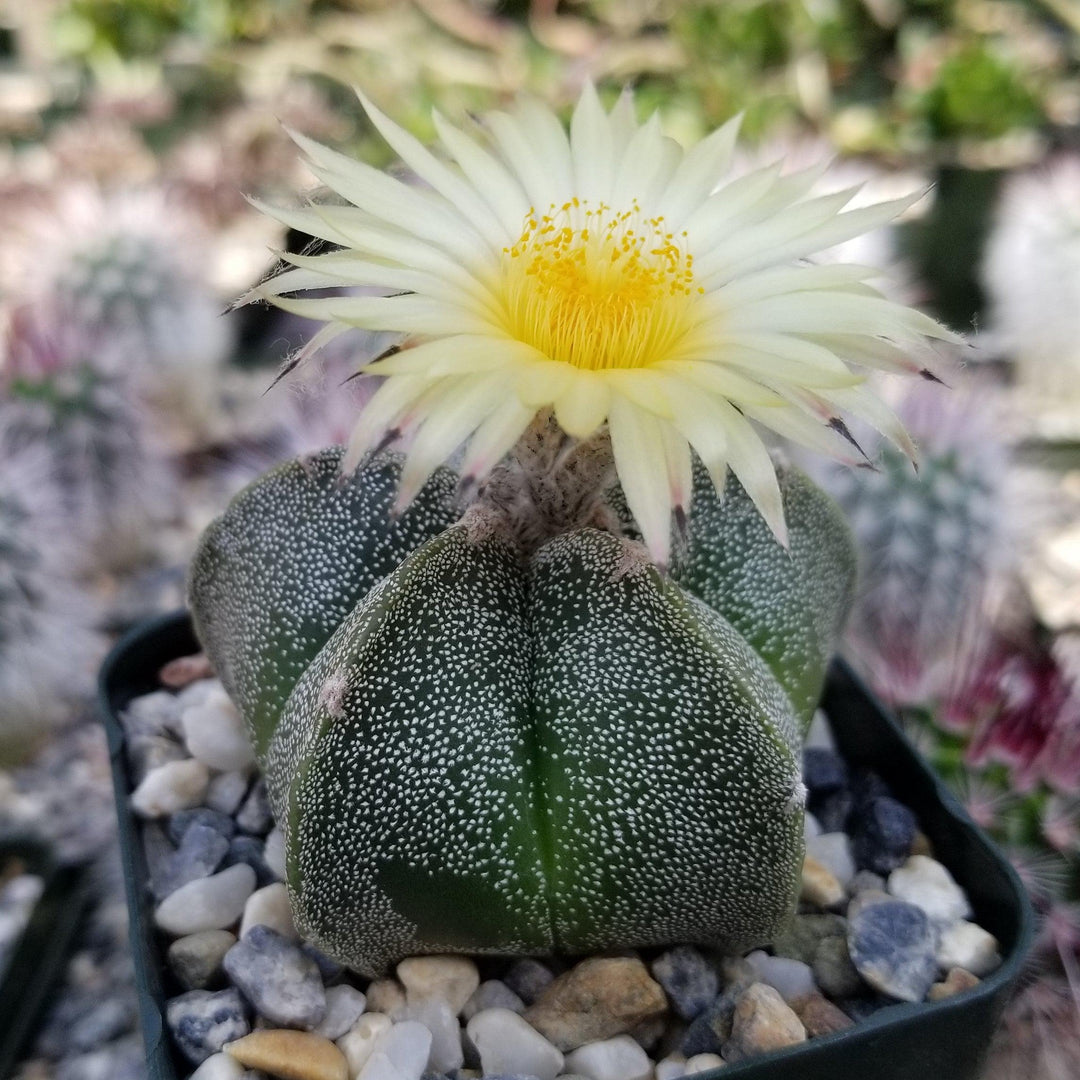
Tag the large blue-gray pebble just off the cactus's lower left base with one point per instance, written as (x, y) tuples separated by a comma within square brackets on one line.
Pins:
[(282, 984)]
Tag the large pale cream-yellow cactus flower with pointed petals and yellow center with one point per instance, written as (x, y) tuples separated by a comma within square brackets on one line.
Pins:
[(614, 278)]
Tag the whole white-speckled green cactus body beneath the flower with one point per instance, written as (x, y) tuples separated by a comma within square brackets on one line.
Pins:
[(474, 748)]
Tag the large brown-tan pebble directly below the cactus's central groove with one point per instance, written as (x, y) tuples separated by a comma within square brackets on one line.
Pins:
[(597, 1001)]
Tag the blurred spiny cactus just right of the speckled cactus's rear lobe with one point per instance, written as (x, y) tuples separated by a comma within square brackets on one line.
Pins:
[(929, 542)]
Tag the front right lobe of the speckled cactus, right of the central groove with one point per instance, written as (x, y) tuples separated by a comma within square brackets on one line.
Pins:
[(670, 760)]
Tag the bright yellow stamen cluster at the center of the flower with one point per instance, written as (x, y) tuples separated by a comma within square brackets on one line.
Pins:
[(599, 288)]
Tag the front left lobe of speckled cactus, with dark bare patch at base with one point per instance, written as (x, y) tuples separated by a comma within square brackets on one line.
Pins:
[(404, 763)]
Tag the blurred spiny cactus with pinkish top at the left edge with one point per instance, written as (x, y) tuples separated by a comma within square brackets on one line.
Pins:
[(65, 396)]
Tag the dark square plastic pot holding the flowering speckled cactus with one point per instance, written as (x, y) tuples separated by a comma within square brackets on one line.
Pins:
[(936, 1042)]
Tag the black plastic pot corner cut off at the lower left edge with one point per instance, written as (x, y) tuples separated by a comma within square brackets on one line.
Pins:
[(37, 961)]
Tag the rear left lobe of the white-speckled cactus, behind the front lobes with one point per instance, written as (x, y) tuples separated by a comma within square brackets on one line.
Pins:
[(295, 552)]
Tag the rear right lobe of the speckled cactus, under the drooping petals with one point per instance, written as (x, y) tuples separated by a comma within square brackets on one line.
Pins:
[(791, 604)]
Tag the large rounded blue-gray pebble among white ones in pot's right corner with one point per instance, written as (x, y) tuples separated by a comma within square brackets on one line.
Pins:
[(893, 947)]
